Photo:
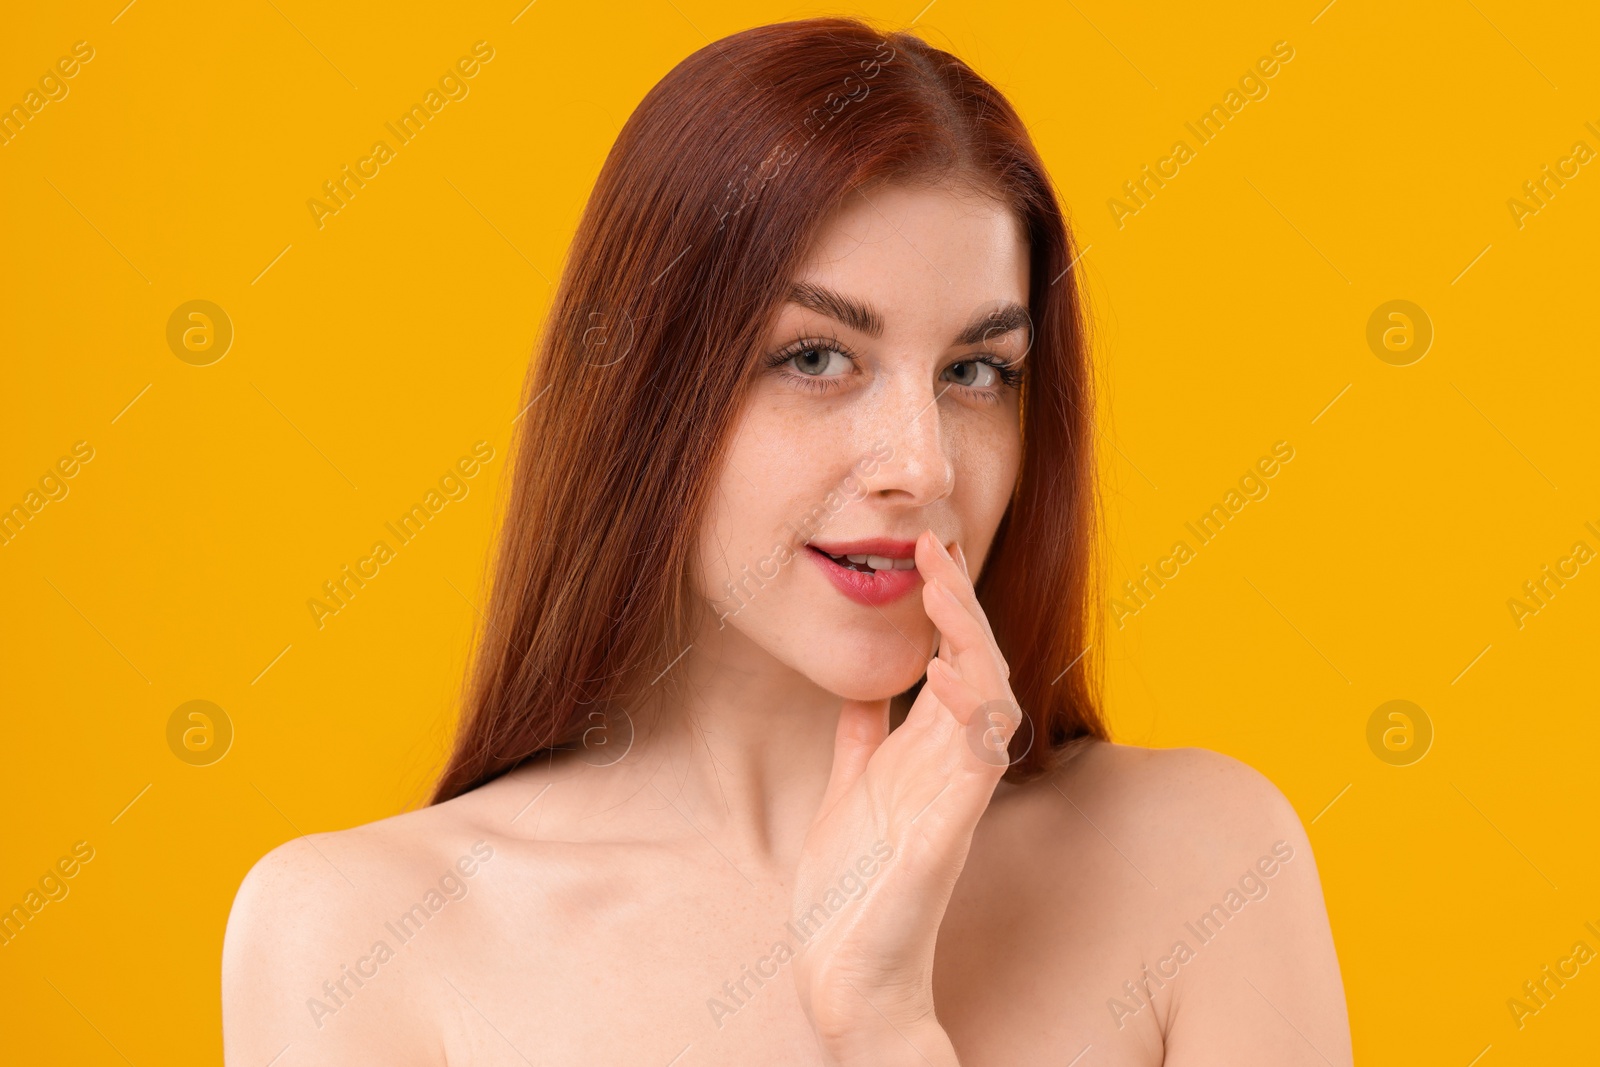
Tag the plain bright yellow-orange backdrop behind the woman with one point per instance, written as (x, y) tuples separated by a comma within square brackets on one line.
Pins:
[(374, 353)]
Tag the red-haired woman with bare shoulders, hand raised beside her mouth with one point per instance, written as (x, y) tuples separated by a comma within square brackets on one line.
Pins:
[(783, 745)]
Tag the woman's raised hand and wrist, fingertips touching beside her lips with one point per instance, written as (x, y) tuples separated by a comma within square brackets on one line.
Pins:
[(892, 836)]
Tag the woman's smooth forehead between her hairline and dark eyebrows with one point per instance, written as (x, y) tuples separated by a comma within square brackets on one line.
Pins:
[(932, 255)]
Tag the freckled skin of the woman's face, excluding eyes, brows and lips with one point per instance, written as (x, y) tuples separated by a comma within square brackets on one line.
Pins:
[(929, 263)]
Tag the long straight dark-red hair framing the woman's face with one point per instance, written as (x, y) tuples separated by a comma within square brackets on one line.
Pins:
[(700, 220)]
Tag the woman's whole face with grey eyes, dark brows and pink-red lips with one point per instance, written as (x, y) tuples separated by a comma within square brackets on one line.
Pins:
[(887, 406)]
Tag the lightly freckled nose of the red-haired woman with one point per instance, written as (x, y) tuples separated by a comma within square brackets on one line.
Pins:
[(908, 422)]
